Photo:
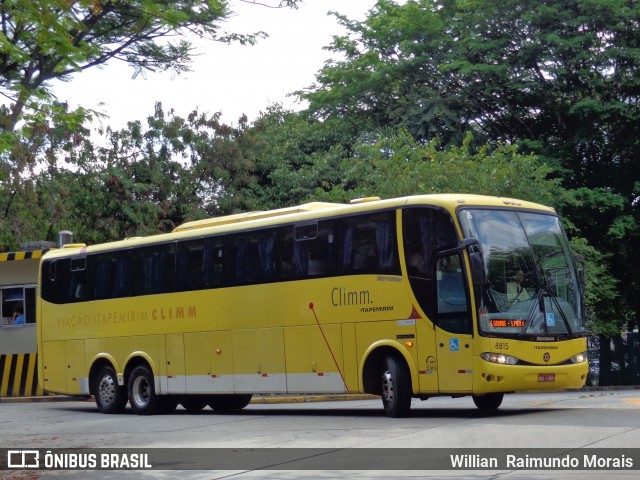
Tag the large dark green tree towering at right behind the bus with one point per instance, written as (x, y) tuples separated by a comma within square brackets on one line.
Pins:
[(560, 79)]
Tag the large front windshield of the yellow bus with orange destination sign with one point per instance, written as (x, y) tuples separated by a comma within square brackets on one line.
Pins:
[(532, 287)]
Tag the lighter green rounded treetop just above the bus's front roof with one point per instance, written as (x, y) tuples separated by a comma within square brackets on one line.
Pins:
[(395, 164)]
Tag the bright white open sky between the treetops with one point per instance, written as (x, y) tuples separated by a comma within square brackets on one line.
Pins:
[(231, 79)]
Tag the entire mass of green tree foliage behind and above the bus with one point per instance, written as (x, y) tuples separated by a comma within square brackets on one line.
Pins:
[(528, 99)]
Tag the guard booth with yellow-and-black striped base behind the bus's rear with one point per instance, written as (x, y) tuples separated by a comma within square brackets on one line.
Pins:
[(18, 352)]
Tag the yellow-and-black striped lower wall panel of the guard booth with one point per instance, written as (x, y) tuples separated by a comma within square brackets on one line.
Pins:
[(18, 376)]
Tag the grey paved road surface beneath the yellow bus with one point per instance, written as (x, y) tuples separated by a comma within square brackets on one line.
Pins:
[(567, 421)]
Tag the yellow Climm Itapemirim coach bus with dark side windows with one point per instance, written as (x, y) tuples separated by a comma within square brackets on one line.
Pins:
[(402, 298)]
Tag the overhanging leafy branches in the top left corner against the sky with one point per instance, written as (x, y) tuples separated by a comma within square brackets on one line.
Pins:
[(43, 40)]
